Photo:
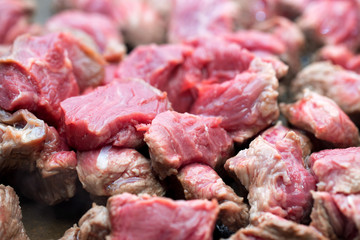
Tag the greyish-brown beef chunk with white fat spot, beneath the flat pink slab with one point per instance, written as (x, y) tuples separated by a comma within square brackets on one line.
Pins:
[(111, 170)]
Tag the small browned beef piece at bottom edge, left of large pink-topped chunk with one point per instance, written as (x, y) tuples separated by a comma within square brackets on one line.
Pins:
[(94, 225)]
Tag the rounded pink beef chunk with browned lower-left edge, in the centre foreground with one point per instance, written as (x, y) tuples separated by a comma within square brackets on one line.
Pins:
[(177, 139)]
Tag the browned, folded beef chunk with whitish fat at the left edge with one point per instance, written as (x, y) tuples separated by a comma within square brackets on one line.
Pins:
[(39, 160)]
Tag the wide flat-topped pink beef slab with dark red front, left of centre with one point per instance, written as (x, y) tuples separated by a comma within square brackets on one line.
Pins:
[(112, 114)]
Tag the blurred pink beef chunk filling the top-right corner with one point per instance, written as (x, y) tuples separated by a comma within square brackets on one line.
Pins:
[(332, 22)]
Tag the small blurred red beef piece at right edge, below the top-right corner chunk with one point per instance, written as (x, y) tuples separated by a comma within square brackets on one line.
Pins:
[(340, 55)]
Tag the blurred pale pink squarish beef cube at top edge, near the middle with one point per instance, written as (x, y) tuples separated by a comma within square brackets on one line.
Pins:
[(204, 18)]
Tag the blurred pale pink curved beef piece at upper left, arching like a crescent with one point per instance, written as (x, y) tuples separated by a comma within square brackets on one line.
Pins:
[(100, 28)]
